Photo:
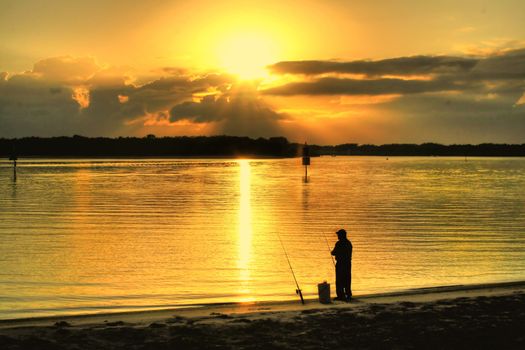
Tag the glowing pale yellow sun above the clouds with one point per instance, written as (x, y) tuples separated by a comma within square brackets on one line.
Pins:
[(246, 54)]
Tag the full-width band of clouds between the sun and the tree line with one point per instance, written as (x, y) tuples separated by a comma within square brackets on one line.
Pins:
[(406, 99)]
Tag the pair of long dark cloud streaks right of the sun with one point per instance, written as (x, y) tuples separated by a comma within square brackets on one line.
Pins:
[(502, 72)]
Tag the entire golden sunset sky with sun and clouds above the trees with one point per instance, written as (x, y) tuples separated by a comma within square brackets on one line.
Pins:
[(325, 72)]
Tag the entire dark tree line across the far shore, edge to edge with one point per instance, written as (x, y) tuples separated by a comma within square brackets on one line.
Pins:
[(229, 146)]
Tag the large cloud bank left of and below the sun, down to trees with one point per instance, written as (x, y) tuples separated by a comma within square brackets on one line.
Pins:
[(65, 95)]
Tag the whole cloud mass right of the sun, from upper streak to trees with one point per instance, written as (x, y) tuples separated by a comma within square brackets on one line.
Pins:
[(413, 99)]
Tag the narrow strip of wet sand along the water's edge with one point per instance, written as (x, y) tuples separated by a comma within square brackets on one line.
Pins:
[(200, 310)]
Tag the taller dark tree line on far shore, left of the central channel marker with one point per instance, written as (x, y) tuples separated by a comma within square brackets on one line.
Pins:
[(149, 146)]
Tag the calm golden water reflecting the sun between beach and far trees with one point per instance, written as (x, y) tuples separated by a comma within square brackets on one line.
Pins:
[(80, 236)]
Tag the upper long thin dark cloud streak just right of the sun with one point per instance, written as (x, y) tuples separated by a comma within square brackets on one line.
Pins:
[(414, 65)]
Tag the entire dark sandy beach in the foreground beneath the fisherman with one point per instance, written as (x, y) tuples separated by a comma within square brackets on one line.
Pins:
[(479, 316)]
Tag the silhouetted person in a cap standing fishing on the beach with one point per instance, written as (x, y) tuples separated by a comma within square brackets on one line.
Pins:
[(343, 267)]
